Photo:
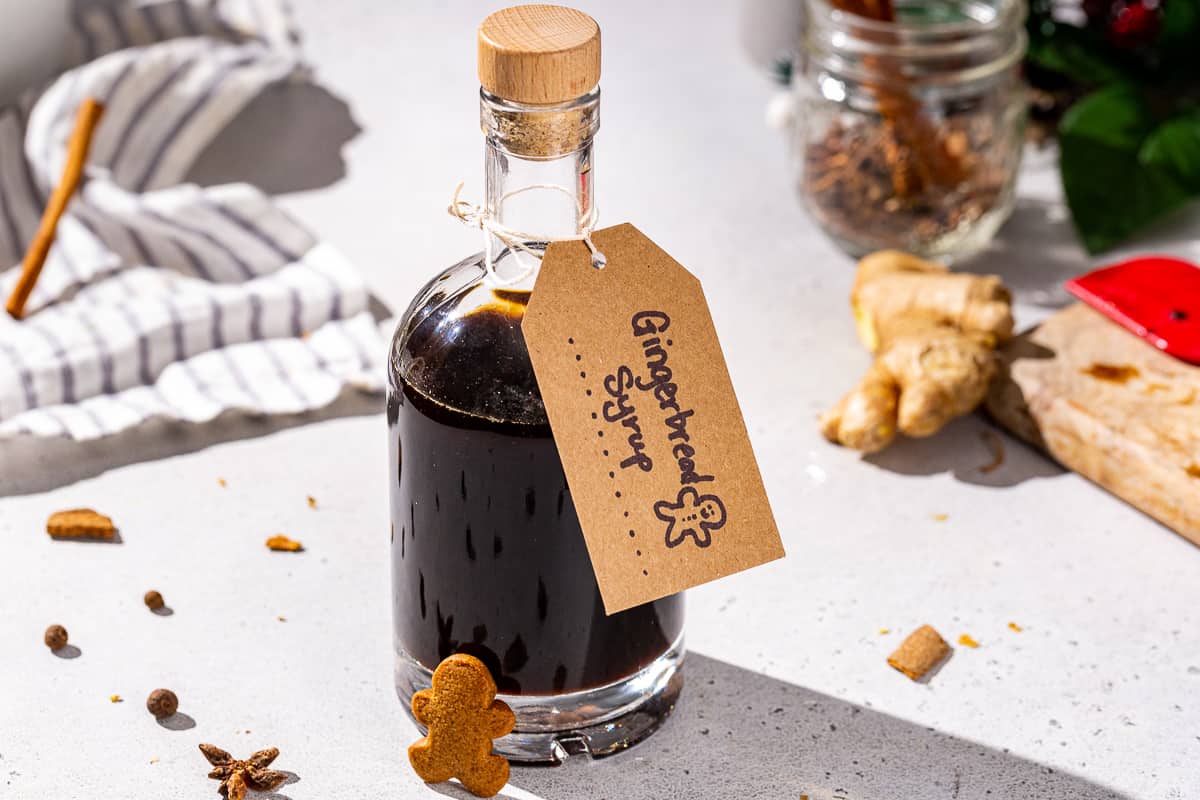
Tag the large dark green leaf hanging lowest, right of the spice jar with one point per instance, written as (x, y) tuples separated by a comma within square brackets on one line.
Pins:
[(1111, 191)]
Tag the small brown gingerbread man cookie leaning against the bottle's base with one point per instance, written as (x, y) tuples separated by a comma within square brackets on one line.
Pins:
[(464, 718)]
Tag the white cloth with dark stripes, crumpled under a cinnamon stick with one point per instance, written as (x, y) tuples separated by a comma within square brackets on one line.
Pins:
[(163, 299)]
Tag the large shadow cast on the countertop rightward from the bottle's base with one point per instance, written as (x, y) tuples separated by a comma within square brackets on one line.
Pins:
[(741, 735)]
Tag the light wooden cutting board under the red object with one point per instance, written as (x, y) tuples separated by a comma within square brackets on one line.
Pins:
[(1111, 407)]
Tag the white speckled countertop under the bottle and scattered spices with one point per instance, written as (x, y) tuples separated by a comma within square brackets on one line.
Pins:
[(788, 689)]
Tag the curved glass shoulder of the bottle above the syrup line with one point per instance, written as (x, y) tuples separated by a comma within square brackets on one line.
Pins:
[(460, 346)]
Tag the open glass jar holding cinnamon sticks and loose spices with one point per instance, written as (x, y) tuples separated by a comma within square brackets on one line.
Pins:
[(910, 133)]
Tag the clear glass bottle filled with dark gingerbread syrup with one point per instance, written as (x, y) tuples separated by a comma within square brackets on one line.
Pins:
[(488, 554)]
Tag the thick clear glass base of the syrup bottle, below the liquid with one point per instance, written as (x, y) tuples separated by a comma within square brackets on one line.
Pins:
[(598, 721)]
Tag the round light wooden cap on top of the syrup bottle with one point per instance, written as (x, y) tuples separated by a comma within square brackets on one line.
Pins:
[(539, 55)]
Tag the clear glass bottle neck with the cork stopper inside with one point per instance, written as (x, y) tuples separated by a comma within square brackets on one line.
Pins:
[(539, 181)]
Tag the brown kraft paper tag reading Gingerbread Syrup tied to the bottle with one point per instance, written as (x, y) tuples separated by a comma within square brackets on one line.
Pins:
[(644, 413)]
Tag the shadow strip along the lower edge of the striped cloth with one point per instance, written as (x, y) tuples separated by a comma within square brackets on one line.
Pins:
[(31, 465)]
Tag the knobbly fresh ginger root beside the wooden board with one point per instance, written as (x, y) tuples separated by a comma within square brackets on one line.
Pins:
[(933, 333)]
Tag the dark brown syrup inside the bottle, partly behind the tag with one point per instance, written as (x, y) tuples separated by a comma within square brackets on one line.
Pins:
[(488, 552)]
